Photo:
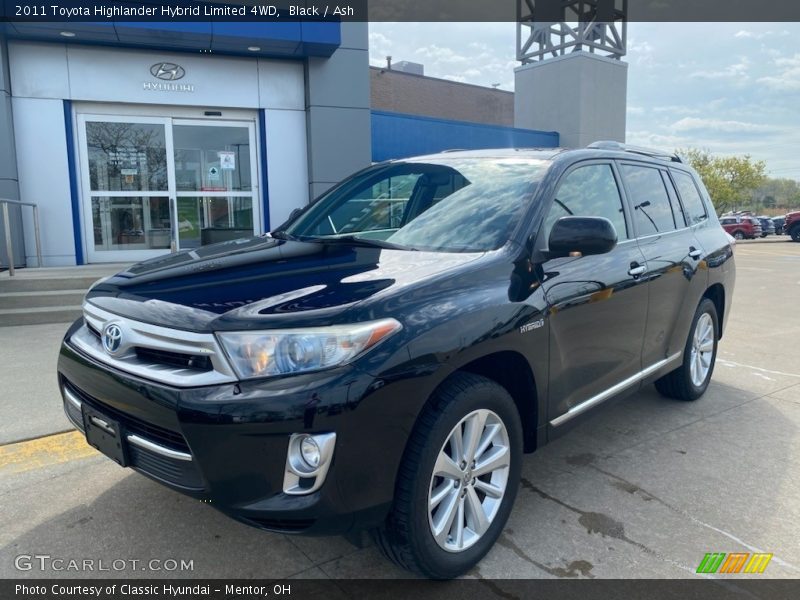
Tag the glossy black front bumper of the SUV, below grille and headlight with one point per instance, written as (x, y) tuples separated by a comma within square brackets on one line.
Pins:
[(227, 444)]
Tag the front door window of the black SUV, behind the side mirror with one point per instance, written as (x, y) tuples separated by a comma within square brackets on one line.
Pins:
[(589, 191)]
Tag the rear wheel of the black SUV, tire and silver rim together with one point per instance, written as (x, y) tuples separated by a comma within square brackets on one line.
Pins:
[(691, 379)]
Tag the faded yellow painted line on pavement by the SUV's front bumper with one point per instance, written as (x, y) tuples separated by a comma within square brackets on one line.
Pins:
[(44, 452)]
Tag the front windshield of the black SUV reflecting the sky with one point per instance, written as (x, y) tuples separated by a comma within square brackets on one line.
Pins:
[(451, 205)]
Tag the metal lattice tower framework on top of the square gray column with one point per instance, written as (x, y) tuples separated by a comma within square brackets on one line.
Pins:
[(593, 26)]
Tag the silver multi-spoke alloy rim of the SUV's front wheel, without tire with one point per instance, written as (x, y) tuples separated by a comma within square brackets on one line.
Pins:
[(469, 481)]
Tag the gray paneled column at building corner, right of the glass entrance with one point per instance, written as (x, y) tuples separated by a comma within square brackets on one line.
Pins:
[(338, 111)]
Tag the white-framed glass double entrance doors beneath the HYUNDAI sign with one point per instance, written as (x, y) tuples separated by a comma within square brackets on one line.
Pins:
[(152, 185)]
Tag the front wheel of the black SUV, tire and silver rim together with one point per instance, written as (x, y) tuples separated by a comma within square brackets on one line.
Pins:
[(457, 481)]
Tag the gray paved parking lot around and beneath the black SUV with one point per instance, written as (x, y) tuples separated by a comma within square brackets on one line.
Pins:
[(644, 490)]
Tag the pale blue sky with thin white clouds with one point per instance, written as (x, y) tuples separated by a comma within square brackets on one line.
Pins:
[(730, 88)]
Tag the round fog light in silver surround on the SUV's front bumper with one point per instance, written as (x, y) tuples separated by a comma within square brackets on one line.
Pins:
[(307, 461)]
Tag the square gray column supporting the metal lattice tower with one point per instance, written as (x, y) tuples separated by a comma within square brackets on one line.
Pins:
[(581, 95)]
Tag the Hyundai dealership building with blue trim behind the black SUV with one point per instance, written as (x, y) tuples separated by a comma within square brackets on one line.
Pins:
[(139, 139)]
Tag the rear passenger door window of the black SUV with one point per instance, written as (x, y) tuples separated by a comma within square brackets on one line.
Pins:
[(652, 210)]
